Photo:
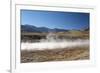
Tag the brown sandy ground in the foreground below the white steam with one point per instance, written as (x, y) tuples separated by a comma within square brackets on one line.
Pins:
[(66, 54)]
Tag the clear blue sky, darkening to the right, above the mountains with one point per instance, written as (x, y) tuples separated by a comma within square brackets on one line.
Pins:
[(55, 19)]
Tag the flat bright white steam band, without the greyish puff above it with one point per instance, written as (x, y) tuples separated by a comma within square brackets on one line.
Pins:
[(53, 45)]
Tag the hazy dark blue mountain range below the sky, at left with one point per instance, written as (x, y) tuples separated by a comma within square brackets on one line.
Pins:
[(31, 28)]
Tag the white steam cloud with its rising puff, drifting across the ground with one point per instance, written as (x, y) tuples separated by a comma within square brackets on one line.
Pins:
[(52, 42)]
